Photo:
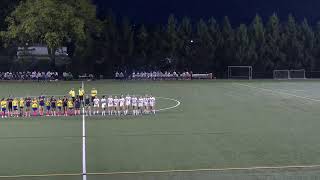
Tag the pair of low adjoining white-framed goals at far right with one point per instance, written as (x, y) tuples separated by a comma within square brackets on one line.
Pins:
[(289, 74)]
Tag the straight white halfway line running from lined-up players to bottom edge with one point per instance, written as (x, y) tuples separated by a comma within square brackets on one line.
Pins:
[(84, 163)]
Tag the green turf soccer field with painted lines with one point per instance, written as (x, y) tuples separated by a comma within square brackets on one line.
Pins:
[(206, 130)]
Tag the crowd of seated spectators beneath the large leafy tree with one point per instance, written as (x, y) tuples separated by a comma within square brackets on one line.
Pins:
[(29, 75)]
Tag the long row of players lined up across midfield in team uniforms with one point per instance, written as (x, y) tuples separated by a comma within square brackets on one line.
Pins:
[(51, 106)]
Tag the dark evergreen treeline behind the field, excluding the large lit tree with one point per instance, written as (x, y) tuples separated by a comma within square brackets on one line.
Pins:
[(200, 46)]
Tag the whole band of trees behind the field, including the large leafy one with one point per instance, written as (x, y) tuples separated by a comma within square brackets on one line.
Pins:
[(107, 44)]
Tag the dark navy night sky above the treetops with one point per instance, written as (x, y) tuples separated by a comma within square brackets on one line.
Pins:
[(157, 11)]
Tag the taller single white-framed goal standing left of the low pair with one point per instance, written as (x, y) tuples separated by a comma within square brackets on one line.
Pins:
[(240, 72)]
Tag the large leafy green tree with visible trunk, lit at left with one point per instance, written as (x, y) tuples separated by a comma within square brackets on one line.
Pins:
[(48, 22)]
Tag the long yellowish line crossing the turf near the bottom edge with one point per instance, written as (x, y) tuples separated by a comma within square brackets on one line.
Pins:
[(174, 171)]
